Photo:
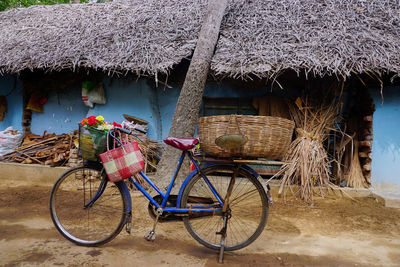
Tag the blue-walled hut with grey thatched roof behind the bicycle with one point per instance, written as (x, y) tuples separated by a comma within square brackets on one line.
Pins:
[(264, 46)]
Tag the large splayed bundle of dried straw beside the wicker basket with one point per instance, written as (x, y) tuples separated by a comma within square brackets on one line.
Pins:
[(307, 163)]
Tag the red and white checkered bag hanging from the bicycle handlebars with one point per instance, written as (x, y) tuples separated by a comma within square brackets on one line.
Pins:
[(122, 162)]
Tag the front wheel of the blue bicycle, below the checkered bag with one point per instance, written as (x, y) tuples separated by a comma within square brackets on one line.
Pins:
[(87, 225)]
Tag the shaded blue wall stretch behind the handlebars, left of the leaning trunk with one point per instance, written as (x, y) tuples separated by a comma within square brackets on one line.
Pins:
[(64, 111)]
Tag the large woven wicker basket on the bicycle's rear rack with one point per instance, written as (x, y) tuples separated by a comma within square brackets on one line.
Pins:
[(269, 137)]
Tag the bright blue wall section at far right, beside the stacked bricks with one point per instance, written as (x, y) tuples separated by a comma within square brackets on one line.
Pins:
[(386, 144)]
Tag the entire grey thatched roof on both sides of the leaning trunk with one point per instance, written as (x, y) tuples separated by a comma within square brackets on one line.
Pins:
[(258, 37)]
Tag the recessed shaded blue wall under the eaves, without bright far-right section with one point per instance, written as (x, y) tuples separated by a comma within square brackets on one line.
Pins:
[(141, 98)]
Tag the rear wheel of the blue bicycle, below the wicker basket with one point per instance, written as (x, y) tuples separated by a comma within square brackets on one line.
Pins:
[(249, 208)]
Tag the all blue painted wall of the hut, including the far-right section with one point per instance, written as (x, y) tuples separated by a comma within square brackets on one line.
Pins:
[(143, 99)]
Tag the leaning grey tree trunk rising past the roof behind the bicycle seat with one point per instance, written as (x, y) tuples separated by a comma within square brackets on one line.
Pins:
[(187, 109)]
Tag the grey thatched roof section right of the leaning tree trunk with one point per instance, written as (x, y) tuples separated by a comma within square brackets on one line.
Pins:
[(334, 37)]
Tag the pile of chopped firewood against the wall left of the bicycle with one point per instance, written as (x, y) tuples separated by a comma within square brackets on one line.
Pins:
[(46, 149)]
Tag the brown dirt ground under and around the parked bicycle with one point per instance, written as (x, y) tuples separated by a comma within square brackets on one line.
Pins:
[(334, 232)]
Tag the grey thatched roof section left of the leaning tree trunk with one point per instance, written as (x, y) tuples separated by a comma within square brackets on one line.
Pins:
[(139, 36)]
